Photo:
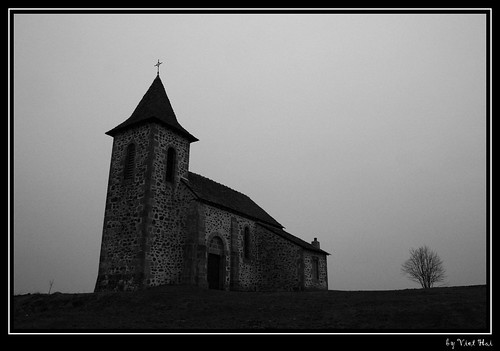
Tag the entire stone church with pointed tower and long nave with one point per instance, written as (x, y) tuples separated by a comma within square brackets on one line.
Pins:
[(166, 225)]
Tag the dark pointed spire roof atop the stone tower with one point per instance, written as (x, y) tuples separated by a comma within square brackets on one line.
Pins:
[(154, 106)]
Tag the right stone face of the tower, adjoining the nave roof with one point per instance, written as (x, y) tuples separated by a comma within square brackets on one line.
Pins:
[(170, 203)]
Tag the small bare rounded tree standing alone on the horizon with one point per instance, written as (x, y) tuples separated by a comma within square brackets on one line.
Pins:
[(424, 266)]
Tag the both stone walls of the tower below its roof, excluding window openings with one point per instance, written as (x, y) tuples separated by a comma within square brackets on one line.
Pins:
[(146, 216)]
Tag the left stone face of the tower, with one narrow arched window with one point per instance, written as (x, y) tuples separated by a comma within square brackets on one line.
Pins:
[(121, 260)]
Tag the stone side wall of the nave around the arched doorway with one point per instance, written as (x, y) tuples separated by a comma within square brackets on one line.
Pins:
[(274, 263)]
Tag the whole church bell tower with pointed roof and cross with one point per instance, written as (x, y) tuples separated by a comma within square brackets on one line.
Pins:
[(150, 156)]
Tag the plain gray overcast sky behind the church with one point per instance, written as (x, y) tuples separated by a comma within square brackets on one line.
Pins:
[(366, 131)]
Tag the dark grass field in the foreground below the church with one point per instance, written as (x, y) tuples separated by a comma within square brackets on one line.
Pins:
[(180, 309)]
